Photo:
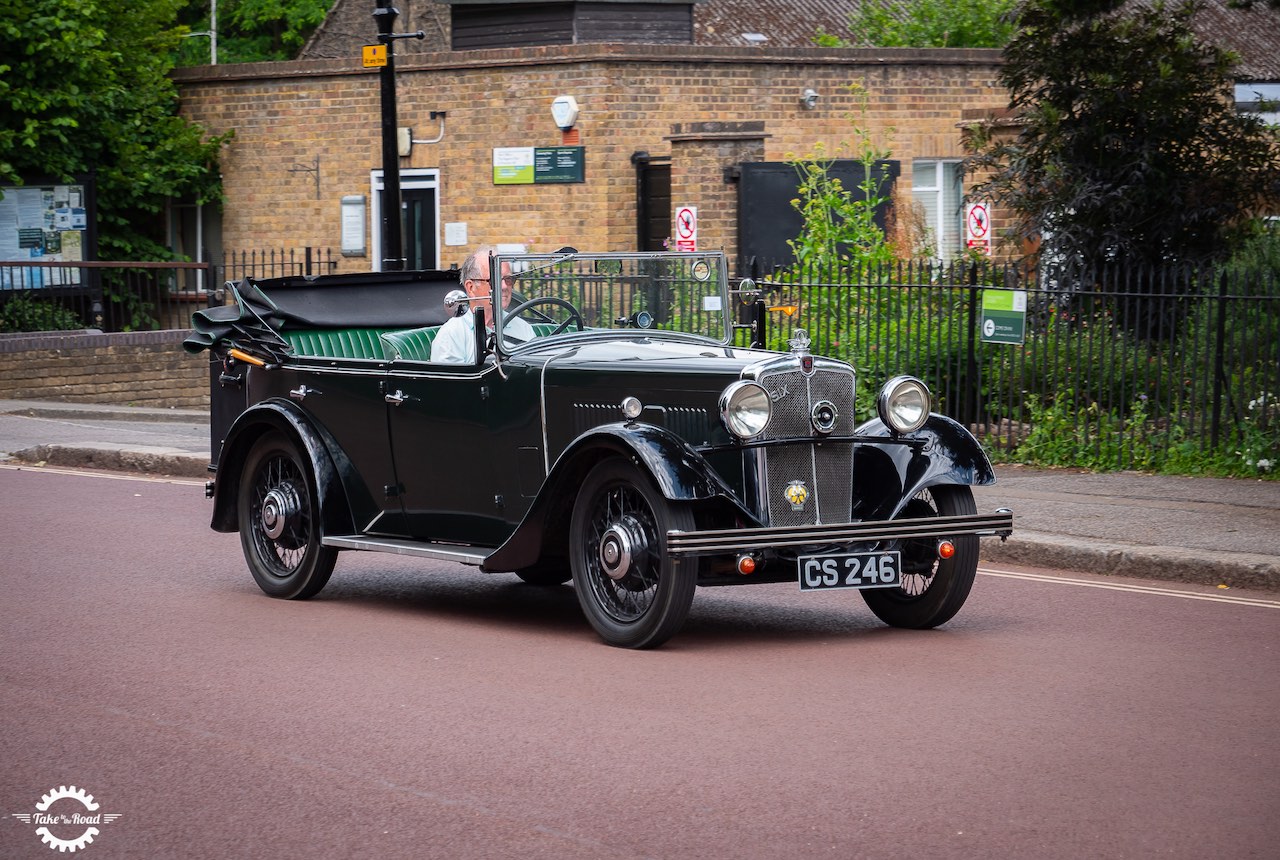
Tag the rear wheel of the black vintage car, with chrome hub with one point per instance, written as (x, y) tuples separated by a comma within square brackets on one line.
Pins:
[(280, 522)]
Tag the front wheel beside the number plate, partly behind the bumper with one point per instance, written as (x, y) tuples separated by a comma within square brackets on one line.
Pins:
[(932, 589)]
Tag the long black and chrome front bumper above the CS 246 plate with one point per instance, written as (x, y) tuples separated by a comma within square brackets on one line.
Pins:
[(737, 541)]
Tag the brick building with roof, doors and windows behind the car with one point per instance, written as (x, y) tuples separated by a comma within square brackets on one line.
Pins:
[(671, 108)]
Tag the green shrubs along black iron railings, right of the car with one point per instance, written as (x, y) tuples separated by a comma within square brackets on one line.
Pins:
[(1171, 370)]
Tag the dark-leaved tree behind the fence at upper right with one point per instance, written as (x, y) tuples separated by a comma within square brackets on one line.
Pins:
[(1130, 148)]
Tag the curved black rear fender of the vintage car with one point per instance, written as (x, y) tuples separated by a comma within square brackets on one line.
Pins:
[(292, 422)]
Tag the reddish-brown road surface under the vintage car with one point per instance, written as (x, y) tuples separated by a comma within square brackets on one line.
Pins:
[(428, 711)]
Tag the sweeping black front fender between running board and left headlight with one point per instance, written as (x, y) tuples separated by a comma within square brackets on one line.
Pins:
[(679, 472)]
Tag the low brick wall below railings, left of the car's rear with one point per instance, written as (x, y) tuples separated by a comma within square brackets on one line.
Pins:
[(138, 368)]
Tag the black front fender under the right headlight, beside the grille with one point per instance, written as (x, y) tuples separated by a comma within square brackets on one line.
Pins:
[(888, 475)]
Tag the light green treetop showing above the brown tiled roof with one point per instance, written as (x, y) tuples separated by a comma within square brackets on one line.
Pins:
[(926, 24)]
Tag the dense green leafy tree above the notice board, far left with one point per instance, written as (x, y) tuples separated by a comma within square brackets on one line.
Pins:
[(86, 90)]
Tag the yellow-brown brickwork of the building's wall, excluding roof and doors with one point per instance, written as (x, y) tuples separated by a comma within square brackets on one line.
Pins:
[(633, 98)]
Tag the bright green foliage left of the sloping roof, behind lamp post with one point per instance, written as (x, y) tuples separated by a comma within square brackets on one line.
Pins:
[(250, 31)]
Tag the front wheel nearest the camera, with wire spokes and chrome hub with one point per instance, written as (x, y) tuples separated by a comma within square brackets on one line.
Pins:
[(632, 592)]
